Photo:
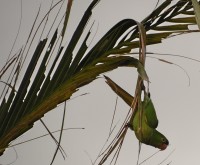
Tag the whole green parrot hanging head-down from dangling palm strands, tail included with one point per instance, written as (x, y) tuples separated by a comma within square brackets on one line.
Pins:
[(144, 126)]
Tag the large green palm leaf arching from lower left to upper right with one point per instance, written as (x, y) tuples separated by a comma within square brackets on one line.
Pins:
[(42, 89)]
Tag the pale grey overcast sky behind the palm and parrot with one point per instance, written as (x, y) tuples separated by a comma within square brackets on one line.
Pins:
[(177, 103)]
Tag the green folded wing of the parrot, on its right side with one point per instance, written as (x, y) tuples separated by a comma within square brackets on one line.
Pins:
[(150, 113)]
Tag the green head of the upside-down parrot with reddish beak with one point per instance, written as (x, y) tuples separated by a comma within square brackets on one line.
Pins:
[(158, 140)]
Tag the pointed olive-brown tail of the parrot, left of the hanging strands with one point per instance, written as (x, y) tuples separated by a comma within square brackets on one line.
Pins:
[(119, 91)]
